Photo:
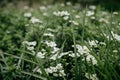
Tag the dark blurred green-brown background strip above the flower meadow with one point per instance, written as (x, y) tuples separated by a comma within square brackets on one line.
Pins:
[(107, 4)]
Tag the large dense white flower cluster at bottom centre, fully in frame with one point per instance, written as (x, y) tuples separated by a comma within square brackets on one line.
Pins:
[(56, 71)]
